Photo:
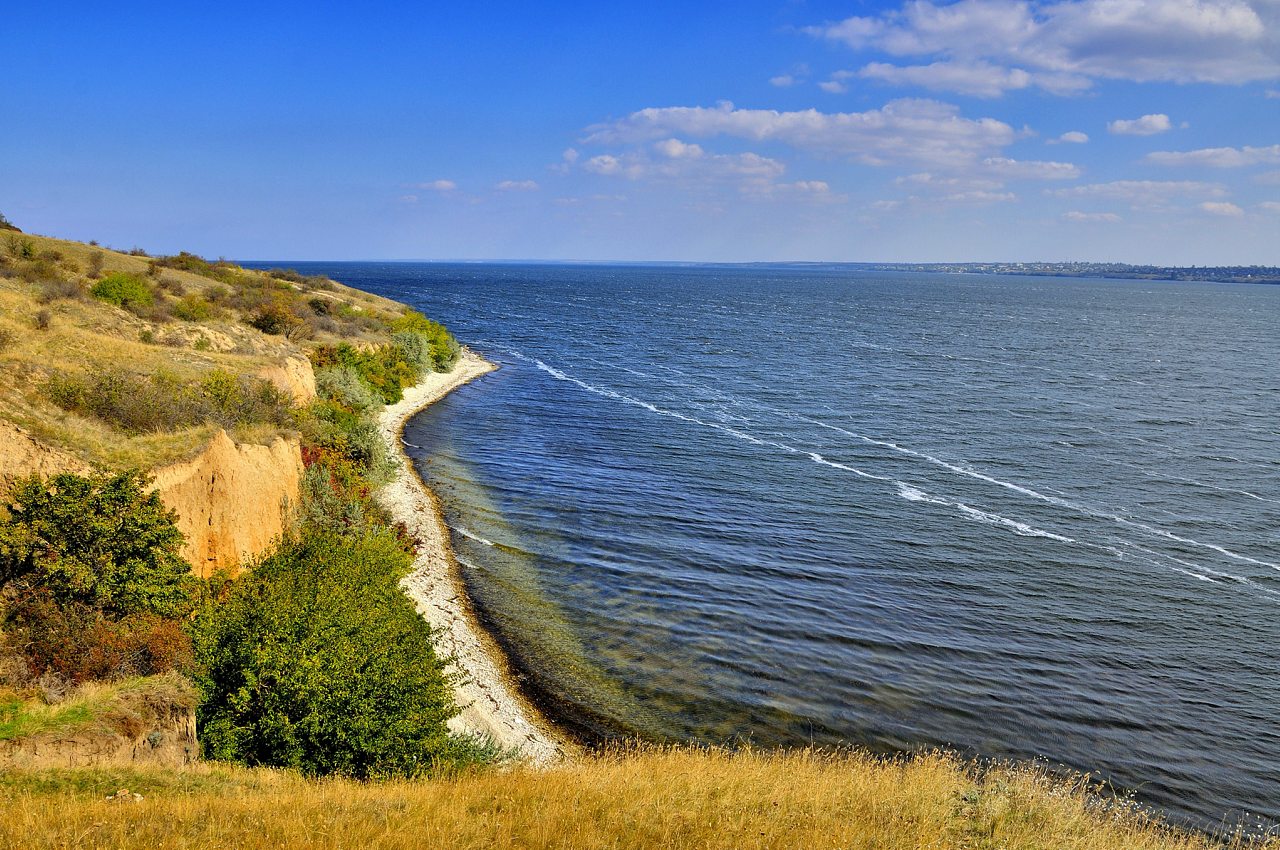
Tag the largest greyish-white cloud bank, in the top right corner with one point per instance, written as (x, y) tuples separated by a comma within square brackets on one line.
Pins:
[(1064, 45)]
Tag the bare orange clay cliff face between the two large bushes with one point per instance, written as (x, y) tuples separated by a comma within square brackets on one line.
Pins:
[(232, 501)]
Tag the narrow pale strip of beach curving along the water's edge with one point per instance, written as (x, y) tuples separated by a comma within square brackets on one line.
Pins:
[(490, 701)]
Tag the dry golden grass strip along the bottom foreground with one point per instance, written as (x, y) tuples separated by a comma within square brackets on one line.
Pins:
[(643, 799)]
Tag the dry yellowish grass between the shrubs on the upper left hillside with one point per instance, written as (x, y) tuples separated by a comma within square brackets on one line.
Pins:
[(88, 336)]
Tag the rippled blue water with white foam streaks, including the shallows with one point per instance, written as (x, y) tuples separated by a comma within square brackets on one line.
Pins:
[(1018, 517)]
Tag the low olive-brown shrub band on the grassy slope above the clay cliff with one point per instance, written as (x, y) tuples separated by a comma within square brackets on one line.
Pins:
[(139, 405)]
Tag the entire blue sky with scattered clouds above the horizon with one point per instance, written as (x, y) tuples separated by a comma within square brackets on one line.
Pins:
[(1135, 131)]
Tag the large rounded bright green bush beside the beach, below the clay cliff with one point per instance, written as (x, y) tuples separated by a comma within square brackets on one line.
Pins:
[(317, 661)]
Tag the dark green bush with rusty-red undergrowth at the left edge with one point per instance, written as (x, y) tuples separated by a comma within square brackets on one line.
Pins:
[(92, 579)]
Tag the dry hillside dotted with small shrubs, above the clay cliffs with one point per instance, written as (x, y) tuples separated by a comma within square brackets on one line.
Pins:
[(190, 319)]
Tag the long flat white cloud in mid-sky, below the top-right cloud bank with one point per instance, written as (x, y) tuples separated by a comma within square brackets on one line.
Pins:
[(903, 131)]
